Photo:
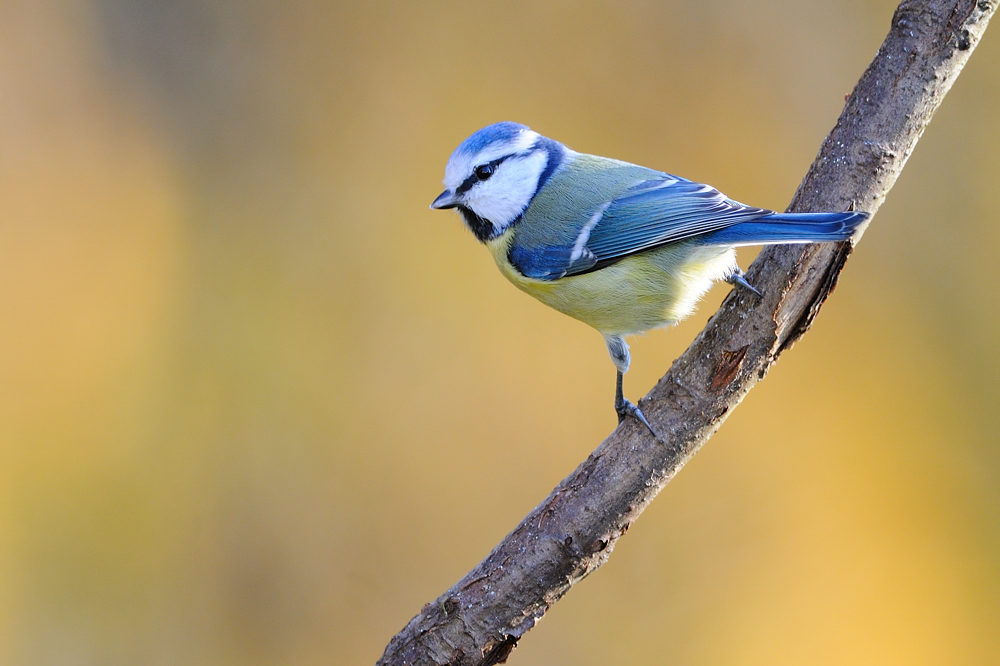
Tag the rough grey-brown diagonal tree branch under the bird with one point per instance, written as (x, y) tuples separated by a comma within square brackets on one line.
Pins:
[(572, 533)]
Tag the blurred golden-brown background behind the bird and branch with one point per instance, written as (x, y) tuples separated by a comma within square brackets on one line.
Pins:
[(258, 404)]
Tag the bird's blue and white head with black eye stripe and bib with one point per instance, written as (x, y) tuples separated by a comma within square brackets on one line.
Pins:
[(493, 175)]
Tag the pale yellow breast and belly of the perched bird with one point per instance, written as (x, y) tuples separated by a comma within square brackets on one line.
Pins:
[(655, 288)]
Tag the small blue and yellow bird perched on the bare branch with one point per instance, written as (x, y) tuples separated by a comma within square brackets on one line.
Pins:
[(618, 246)]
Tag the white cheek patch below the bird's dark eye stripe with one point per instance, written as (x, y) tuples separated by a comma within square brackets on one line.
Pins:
[(505, 196)]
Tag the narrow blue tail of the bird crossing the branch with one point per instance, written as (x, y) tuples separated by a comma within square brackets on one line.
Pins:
[(778, 228)]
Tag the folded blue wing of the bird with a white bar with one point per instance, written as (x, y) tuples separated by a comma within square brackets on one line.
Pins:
[(654, 212)]
